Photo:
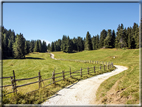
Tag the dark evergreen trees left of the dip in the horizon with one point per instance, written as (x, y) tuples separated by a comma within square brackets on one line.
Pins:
[(16, 46)]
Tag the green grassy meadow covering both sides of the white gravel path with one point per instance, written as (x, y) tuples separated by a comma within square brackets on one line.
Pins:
[(122, 88)]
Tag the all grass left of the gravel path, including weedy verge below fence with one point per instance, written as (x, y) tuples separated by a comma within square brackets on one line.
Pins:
[(29, 67)]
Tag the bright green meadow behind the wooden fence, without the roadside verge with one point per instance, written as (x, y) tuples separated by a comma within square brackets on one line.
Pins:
[(26, 68)]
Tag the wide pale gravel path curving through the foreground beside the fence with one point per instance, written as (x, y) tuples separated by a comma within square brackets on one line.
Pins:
[(82, 92)]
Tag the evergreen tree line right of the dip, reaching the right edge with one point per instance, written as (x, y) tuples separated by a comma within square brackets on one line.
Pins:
[(123, 38)]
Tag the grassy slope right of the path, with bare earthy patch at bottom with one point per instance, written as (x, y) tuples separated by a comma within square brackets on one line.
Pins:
[(125, 84)]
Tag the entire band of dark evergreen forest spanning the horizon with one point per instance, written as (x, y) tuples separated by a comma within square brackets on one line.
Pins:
[(16, 46)]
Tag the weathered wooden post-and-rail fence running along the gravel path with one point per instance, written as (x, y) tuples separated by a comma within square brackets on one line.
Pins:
[(64, 74)]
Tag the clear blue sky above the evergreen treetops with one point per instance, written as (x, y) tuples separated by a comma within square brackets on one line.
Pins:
[(50, 21)]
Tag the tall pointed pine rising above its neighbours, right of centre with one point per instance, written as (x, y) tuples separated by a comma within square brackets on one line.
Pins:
[(88, 43)]
